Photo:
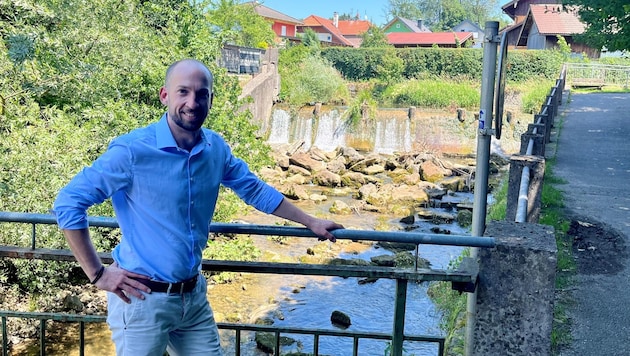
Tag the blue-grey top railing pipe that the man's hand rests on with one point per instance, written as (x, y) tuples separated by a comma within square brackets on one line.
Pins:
[(389, 236)]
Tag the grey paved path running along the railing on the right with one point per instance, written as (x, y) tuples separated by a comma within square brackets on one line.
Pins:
[(593, 157)]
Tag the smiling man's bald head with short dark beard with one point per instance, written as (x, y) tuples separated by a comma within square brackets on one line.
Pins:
[(187, 93)]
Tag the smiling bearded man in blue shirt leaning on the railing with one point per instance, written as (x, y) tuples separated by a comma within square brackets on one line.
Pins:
[(164, 181)]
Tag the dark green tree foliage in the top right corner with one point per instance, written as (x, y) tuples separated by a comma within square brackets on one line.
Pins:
[(607, 23)]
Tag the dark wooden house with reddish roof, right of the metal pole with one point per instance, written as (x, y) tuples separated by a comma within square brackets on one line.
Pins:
[(538, 23)]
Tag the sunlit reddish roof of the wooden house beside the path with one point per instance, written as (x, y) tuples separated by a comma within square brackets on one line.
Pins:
[(552, 19)]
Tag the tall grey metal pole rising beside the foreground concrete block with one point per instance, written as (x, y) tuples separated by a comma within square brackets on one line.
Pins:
[(484, 137)]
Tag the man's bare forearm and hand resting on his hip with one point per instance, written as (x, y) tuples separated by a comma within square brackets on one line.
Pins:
[(113, 279)]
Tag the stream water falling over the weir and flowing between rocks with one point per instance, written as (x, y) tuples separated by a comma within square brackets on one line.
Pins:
[(300, 301)]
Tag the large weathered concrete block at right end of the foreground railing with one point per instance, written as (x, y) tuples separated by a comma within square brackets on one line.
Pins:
[(515, 293)]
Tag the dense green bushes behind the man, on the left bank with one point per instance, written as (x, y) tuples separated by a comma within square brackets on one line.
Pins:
[(73, 75)]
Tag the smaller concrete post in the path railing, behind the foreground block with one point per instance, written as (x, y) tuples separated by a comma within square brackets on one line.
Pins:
[(536, 166)]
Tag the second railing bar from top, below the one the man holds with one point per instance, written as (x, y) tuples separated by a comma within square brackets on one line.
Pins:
[(418, 275)]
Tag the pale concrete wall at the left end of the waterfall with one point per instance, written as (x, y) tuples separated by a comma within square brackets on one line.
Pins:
[(262, 91)]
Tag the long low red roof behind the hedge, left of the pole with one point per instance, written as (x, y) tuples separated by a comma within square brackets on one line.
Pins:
[(429, 39)]
